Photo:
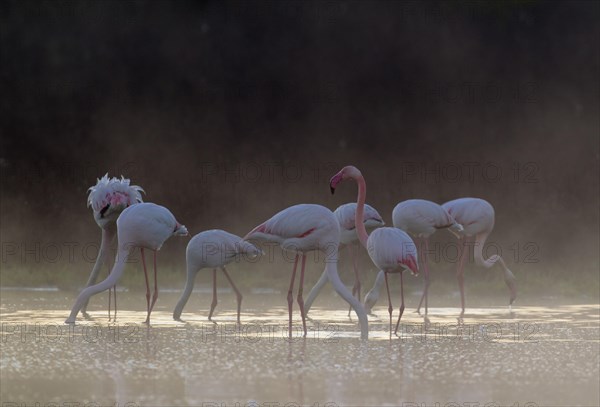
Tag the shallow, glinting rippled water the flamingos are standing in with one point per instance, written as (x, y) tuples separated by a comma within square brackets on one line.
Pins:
[(544, 355)]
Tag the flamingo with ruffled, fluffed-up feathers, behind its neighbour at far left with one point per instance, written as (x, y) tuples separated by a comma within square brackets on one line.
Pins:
[(108, 198)]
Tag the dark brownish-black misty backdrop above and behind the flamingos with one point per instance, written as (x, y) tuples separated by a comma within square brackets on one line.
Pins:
[(226, 112)]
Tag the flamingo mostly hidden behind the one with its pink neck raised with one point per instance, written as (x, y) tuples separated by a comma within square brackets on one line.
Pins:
[(345, 215)]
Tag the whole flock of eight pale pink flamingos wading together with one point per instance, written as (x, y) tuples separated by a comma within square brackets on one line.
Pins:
[(119, 210)]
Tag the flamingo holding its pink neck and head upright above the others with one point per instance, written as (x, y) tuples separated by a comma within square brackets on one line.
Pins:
[(391, 249)]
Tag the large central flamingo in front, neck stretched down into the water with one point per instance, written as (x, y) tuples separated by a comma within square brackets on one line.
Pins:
[(300, 229)]
